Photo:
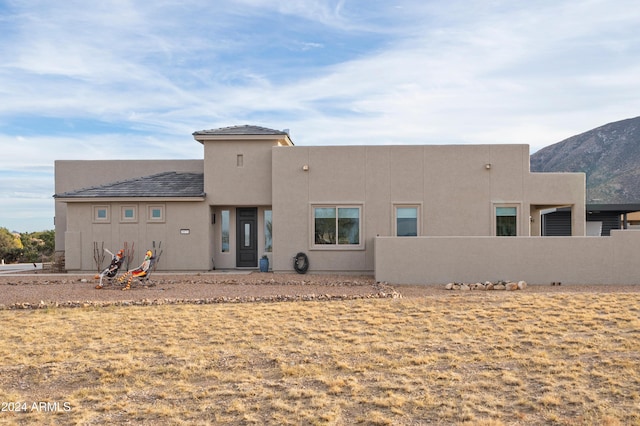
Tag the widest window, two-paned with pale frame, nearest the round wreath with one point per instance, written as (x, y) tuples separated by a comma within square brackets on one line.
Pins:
[(336, 226)]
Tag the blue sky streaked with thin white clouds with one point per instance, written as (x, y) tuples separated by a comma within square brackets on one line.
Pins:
[(133, 79)]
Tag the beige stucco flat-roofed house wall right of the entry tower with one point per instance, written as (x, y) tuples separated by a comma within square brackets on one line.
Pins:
[(456, 187)]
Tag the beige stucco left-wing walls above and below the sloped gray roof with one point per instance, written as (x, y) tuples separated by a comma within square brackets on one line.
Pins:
[(76, 231)]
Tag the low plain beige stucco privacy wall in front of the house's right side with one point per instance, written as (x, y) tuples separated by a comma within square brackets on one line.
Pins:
[(537, 260)]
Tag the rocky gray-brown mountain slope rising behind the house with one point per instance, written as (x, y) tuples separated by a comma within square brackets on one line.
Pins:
[(609, 155)]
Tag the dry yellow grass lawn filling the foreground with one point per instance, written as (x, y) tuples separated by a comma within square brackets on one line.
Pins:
[(490, 359)]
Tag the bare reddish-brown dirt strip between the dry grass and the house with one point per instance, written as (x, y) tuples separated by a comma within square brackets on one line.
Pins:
[(33, 290)]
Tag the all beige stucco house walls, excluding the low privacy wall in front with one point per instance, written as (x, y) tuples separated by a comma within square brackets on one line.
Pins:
[(455, 187)]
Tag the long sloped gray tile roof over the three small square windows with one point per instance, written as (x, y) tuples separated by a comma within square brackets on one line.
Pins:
[(165, 185)]
